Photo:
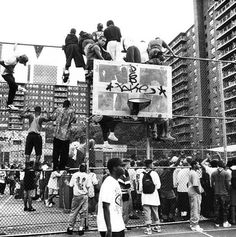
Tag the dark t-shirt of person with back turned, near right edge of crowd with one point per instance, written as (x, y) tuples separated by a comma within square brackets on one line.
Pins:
[(220, 181)]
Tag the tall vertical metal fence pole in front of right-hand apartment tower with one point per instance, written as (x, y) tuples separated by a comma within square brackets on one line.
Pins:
[(223, 111)]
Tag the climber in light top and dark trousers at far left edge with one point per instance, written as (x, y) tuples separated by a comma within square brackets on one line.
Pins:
[(7, 75)]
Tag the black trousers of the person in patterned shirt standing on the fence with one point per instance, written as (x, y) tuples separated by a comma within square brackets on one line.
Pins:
[(60, 150)]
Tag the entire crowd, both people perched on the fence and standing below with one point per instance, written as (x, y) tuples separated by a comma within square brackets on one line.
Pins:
[(180, 188)]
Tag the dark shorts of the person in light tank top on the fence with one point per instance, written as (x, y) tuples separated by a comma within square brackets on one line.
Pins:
[(33, 140)]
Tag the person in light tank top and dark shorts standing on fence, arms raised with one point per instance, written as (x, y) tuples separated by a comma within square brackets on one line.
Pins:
[(34, 139)]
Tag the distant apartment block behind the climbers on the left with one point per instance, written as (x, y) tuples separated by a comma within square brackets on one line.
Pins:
[(49, 97)]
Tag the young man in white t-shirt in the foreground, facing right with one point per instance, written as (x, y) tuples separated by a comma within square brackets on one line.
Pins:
[(109, 220)]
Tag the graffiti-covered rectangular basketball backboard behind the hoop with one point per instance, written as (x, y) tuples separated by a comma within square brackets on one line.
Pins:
[(114, 83)]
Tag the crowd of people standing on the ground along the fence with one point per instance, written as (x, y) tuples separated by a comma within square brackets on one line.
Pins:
[(166, 190)]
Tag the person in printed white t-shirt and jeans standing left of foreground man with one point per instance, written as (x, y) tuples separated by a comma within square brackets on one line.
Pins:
[(80, 183)]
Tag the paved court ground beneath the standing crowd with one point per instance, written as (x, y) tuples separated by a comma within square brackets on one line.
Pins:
[(15, 222)]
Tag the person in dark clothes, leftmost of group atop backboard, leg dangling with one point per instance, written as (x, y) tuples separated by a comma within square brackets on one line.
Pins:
[(72, 51)]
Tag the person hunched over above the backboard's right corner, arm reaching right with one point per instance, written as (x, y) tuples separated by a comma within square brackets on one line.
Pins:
[(155, 48)]
